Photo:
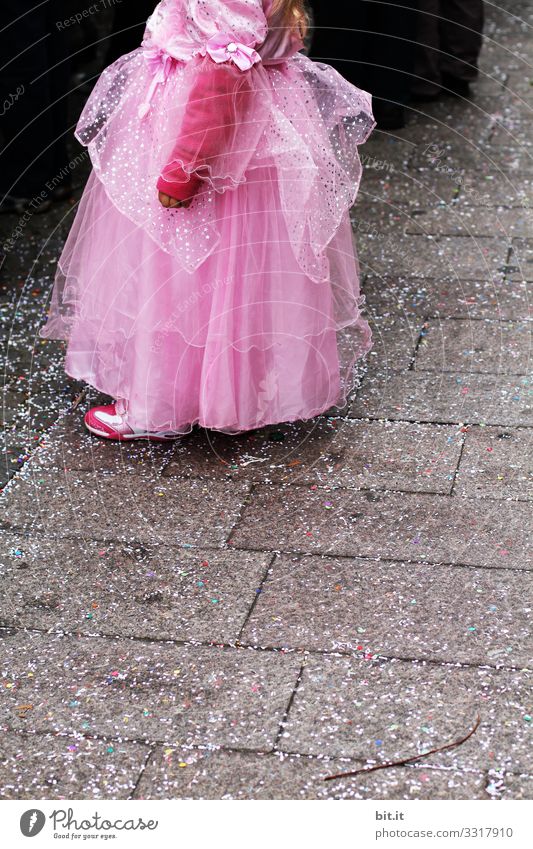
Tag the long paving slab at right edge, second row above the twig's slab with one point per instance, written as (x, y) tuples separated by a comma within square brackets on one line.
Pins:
[(398, 526)]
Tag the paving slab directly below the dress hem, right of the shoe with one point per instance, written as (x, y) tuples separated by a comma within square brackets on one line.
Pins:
[(333, 451)]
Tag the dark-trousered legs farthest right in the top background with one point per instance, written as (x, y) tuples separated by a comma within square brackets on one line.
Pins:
[(449, 36)]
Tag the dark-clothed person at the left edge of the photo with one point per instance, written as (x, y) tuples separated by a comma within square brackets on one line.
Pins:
[(34, 85)]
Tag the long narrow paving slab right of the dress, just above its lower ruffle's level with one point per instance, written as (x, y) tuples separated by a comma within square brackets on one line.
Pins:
[(412, 296)]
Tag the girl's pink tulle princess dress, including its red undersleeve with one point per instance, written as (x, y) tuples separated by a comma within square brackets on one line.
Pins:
[(243, 309)]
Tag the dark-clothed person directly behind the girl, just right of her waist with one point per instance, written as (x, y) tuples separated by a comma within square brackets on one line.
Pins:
[(370, 42)]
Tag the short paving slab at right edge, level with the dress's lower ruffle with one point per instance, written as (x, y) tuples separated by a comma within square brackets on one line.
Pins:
[(494, 347)]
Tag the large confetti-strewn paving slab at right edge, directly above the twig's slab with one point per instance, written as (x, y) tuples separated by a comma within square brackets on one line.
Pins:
[(392, 609)]
